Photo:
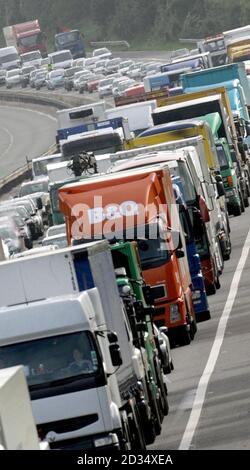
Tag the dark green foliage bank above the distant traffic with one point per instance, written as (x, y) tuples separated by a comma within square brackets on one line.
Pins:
[(137, 21)]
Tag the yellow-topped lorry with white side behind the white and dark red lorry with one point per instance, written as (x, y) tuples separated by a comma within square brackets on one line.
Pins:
[(207, 156)]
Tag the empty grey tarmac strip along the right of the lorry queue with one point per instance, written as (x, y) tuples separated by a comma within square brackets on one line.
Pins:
[(225, 417)]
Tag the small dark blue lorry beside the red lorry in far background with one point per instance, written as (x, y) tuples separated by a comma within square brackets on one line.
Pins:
[(72, 40)]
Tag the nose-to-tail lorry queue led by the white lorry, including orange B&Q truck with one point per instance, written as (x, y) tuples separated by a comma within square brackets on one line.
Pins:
[(145, 190)]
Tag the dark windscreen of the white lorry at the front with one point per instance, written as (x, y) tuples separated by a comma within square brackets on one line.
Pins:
[(55, 360)]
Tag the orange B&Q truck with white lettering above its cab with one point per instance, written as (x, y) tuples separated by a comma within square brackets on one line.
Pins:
[(139, 205)]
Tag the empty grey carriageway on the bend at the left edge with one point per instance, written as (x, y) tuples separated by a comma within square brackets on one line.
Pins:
[(23, 132)]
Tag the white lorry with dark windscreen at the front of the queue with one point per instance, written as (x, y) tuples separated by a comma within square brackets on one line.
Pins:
[(75, 305)]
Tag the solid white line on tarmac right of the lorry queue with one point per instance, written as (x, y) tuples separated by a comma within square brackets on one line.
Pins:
[(214, 353)]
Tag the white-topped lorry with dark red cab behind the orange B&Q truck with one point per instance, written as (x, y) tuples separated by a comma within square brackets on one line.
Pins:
[(196, 175)]
